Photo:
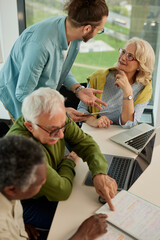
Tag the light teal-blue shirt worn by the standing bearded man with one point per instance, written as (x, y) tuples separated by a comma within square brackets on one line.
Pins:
[(37, 60)]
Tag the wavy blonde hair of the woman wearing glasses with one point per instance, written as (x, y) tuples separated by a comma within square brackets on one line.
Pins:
[(146, 58)]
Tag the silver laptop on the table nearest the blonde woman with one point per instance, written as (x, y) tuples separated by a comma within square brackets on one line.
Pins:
[(134, 138)]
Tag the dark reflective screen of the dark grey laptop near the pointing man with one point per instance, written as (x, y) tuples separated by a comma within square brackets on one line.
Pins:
[(146, 153)]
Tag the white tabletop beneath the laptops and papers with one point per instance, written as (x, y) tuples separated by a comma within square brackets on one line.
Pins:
[(83, 201)]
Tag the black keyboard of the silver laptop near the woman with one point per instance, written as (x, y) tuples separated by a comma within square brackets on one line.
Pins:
[(139, 141)]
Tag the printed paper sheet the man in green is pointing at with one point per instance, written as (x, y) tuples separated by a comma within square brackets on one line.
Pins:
[(135, 216)]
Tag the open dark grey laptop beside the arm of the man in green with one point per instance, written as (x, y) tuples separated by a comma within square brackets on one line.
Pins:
[(127, 170)]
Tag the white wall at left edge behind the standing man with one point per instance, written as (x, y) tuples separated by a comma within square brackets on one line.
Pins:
[(9, 32)]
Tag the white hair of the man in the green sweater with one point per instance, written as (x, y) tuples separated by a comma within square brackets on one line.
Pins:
[(42, 100)]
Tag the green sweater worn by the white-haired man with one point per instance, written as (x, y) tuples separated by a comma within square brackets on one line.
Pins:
[(60, 171)]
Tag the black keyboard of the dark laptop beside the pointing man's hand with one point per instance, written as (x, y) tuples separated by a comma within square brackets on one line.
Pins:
[(119, 169)]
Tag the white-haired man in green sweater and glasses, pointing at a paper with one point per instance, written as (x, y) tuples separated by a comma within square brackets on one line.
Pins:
[(44, 119)]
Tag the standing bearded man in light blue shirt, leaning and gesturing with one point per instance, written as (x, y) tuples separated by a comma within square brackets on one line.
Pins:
[(45, 52)]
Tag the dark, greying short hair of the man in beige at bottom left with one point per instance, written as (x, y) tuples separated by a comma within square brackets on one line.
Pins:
[(19, 159)]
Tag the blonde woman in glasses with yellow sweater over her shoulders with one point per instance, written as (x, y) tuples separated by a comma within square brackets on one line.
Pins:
[(127, 88)]
